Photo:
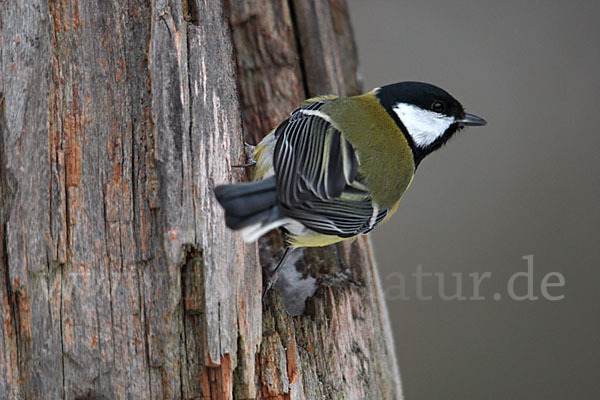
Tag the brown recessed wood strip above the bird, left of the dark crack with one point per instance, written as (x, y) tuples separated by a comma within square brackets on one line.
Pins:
[(268, 63)]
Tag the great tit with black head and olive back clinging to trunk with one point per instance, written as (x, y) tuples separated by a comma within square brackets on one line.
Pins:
[(338, 166)]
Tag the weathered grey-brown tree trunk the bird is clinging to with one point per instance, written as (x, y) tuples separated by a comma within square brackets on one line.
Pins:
[(118, 277)]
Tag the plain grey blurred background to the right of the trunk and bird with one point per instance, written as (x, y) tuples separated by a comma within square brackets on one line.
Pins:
[(527, 184)]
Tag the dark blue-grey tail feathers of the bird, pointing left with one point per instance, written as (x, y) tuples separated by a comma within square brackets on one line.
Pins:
[(247, 204)]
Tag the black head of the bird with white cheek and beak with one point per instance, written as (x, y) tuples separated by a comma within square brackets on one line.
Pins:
[(427, 115)]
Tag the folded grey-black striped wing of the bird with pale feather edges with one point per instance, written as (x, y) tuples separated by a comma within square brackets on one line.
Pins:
[(318, 183)]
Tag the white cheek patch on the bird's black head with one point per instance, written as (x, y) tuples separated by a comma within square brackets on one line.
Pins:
[(423, 126)]
